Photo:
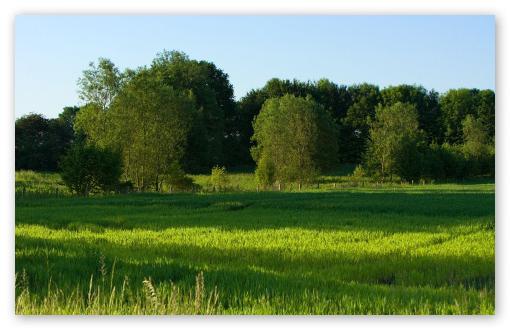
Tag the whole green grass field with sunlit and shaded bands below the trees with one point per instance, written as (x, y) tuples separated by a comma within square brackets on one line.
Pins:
[(422, 249)]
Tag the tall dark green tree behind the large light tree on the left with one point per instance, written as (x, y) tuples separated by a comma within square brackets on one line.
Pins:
[(215, 126)]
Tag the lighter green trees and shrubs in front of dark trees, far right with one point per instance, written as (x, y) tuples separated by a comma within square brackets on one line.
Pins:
[(397, 146)]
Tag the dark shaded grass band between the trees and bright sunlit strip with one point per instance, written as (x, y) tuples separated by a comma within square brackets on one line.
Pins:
[(388, 212)]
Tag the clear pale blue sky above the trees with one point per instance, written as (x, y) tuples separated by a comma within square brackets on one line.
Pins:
[(437, 52)]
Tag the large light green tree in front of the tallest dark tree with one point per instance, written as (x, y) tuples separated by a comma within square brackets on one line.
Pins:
[(150, 124)]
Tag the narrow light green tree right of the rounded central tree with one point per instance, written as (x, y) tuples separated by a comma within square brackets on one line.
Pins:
[(394, 139)]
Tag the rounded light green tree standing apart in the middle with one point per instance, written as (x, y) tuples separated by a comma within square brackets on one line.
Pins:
[(295, 137)]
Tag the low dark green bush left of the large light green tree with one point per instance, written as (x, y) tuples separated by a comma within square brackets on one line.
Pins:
[(87, 169)]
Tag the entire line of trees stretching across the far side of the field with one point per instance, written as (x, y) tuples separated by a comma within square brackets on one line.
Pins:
[(179, 115)]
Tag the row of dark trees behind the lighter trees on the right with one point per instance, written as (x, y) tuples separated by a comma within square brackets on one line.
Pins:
[(353, 107)]
